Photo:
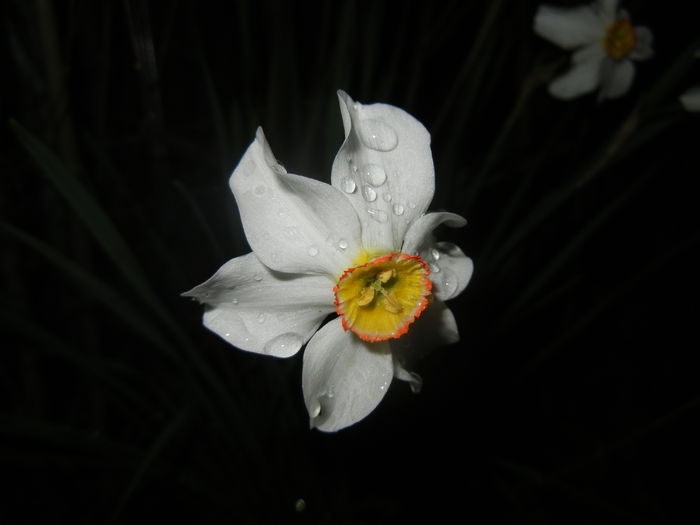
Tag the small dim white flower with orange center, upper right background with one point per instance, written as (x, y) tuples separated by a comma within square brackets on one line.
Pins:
[(605, 44)]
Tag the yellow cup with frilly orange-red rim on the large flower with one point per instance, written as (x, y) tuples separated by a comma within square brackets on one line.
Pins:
[(378, 300)]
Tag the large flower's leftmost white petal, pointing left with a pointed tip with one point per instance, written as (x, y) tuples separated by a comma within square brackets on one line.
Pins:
[(259, 310)]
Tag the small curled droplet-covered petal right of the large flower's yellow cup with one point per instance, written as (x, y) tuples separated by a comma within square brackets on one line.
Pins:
[(450, 269)]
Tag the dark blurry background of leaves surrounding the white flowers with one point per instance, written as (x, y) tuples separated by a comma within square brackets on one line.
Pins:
[(573, 394)]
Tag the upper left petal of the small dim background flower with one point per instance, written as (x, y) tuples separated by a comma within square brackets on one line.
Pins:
[(569, 28)]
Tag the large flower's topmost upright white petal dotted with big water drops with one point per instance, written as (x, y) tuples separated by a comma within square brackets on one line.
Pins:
[(385, 169)]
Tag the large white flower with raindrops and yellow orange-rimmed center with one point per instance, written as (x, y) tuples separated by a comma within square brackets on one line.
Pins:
[(361, 247)]
